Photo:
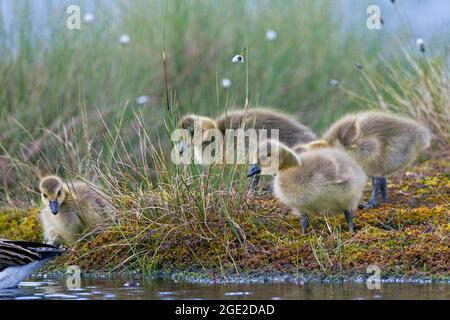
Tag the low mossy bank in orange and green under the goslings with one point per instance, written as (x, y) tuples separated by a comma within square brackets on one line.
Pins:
[(259, 234)]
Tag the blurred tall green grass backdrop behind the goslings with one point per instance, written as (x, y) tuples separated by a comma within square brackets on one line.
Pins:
[(68, 97)]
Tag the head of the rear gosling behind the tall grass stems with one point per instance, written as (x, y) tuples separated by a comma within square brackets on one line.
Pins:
[(195, 125)]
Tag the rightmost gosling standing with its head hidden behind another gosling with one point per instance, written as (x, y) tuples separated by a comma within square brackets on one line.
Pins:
[(381, 143)]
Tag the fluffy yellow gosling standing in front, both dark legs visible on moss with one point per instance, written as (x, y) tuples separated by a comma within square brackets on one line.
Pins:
[(324, 181)]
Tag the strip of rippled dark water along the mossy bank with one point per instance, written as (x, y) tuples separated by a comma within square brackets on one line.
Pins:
[(119, 288)]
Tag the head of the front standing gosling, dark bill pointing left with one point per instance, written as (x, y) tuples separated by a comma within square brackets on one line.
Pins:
[(272, 156)]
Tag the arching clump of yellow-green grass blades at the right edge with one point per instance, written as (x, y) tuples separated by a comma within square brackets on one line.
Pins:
[(418, 86)]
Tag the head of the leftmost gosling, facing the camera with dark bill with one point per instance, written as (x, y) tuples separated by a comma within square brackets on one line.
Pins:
[(52, 192)]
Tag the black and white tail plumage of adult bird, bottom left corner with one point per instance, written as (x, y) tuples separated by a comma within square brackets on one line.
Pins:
[(18, 260)]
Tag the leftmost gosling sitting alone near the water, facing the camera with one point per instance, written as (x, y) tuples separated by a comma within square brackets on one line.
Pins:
[(70, 208)]
